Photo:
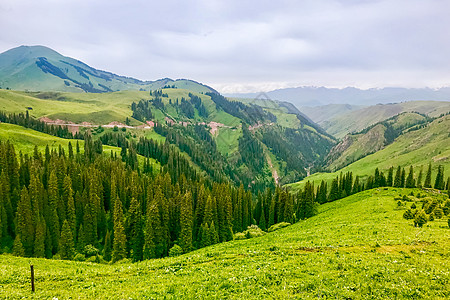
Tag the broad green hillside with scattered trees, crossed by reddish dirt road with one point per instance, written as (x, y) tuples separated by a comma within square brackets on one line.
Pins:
[(192, 122)]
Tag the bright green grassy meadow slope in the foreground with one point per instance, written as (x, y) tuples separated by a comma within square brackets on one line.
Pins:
[(359, 247)]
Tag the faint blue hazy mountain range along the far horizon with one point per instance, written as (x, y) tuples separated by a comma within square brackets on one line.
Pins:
[(316, 96)]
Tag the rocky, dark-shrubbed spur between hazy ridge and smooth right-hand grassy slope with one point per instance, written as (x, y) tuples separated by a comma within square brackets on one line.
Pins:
[(372, 139)]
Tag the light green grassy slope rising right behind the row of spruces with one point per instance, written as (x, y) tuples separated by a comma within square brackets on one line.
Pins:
[(417, 148)]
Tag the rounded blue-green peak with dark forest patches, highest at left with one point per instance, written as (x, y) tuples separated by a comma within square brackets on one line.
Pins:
[(38, 68)]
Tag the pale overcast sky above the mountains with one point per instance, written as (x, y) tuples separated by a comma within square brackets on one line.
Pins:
[(242, 45)]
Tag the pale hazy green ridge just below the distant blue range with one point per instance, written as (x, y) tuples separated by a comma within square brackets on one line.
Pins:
[(338, 120)]
